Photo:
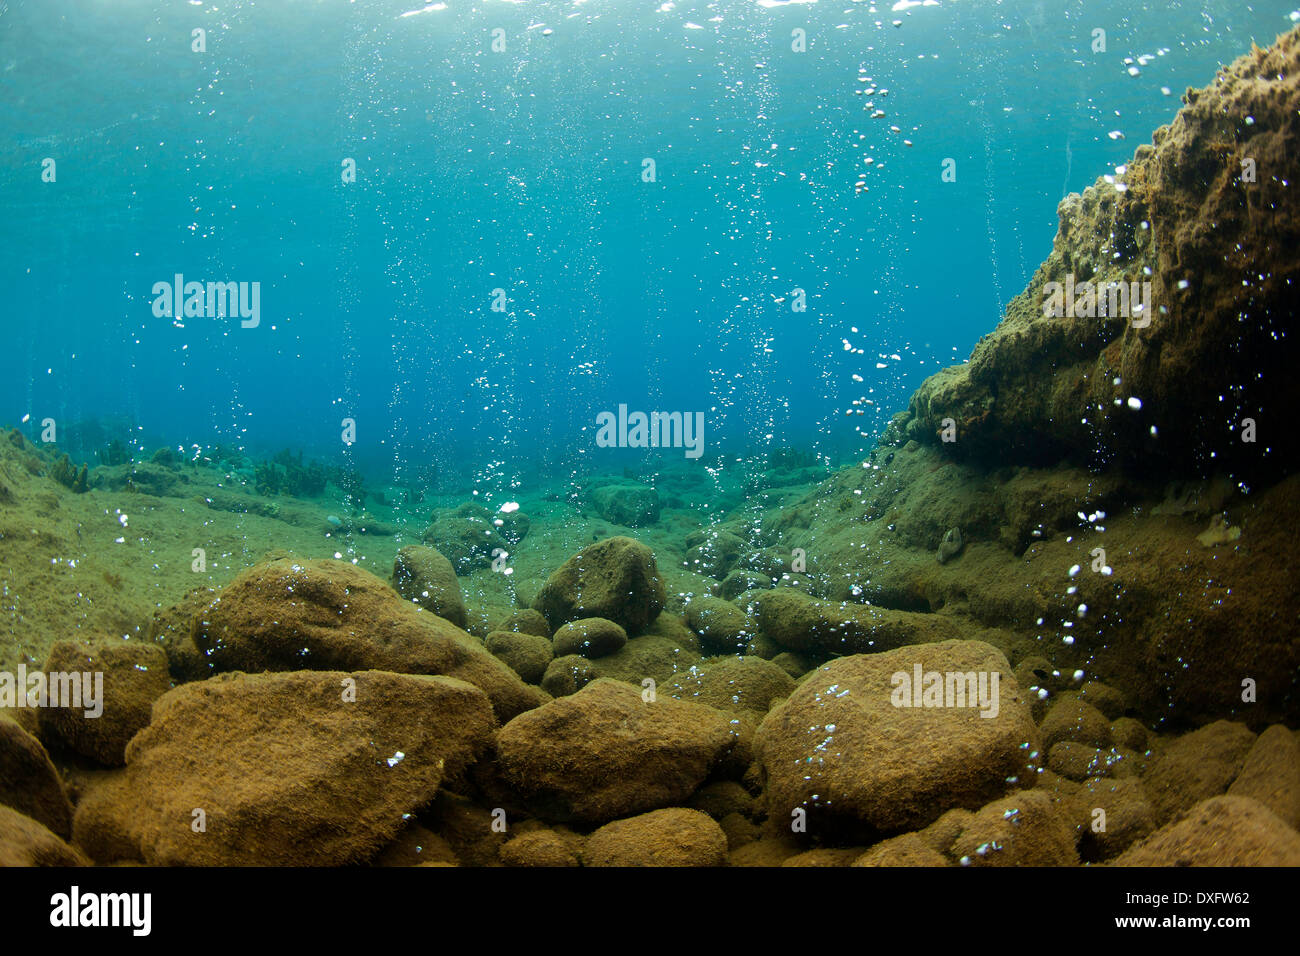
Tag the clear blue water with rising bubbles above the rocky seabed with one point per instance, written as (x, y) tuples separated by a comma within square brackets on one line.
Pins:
[(523, 171)]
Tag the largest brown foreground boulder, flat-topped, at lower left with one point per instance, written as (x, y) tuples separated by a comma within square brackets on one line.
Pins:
[(306, 769)]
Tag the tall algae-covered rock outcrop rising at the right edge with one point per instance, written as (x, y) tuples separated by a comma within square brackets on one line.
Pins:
[(1046, 387)]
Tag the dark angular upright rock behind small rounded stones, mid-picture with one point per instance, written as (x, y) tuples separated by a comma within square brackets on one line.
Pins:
[(617, 579)]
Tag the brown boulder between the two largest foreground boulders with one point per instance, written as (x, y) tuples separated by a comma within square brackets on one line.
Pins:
[(605, 752)]
